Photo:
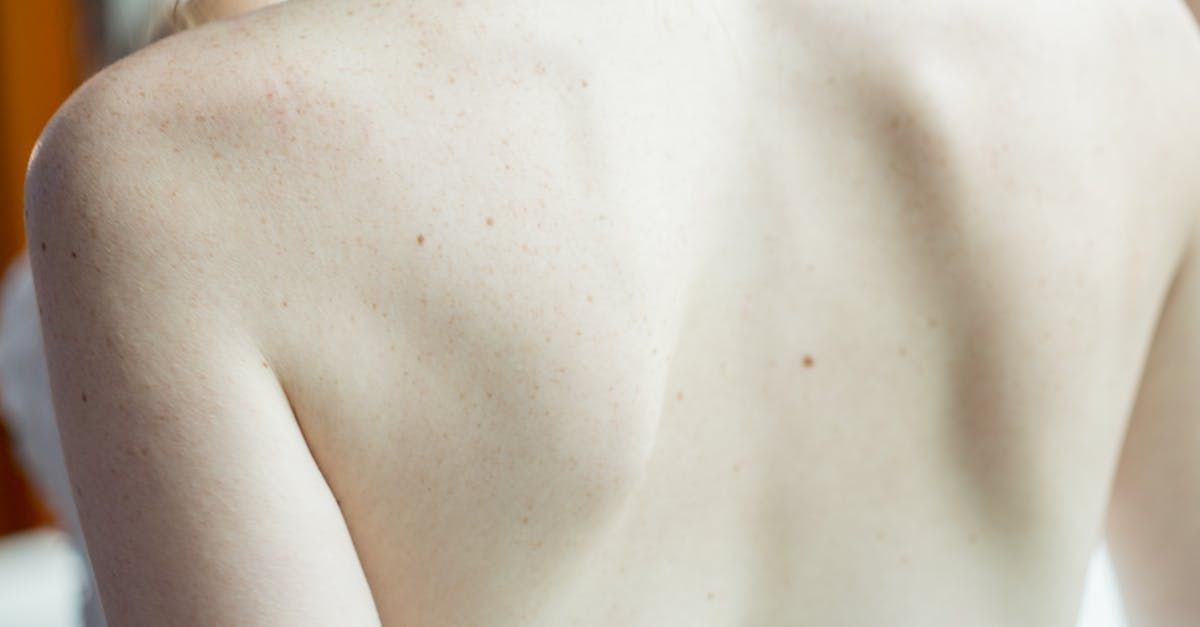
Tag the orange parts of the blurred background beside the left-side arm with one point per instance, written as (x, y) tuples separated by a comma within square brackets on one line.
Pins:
[(41, 63)]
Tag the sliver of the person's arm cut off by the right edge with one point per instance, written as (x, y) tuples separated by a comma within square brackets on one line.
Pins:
[(1155, 513)]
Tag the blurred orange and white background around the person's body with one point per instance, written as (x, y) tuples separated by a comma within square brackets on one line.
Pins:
[(47, 49)]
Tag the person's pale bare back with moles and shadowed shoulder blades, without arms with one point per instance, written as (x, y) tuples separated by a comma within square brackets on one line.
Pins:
[(812, 314)]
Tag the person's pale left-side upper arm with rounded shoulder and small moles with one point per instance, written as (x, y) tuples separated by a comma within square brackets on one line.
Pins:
[(197, 494)]
